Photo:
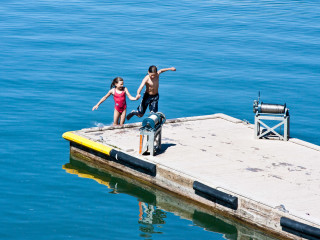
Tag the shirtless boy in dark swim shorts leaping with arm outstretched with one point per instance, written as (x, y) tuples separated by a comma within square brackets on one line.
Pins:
[(151, 95)]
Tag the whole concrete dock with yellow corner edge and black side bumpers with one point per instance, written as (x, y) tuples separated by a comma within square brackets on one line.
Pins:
[(215, 161)]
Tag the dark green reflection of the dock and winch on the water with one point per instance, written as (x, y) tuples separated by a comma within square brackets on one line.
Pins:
[(154, 205)]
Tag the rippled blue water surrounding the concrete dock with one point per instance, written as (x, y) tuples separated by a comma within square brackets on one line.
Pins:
[(58, 57)]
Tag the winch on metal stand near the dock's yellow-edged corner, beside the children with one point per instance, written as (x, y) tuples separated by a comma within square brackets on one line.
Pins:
[(150, 133)]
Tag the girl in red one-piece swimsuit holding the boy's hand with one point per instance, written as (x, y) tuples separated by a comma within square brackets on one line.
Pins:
[(119, 93)]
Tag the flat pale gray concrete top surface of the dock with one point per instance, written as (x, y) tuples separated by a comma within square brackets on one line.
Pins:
[(221, 152)]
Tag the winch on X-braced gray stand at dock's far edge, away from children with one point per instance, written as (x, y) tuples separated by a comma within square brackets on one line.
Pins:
[(273, 112)]
